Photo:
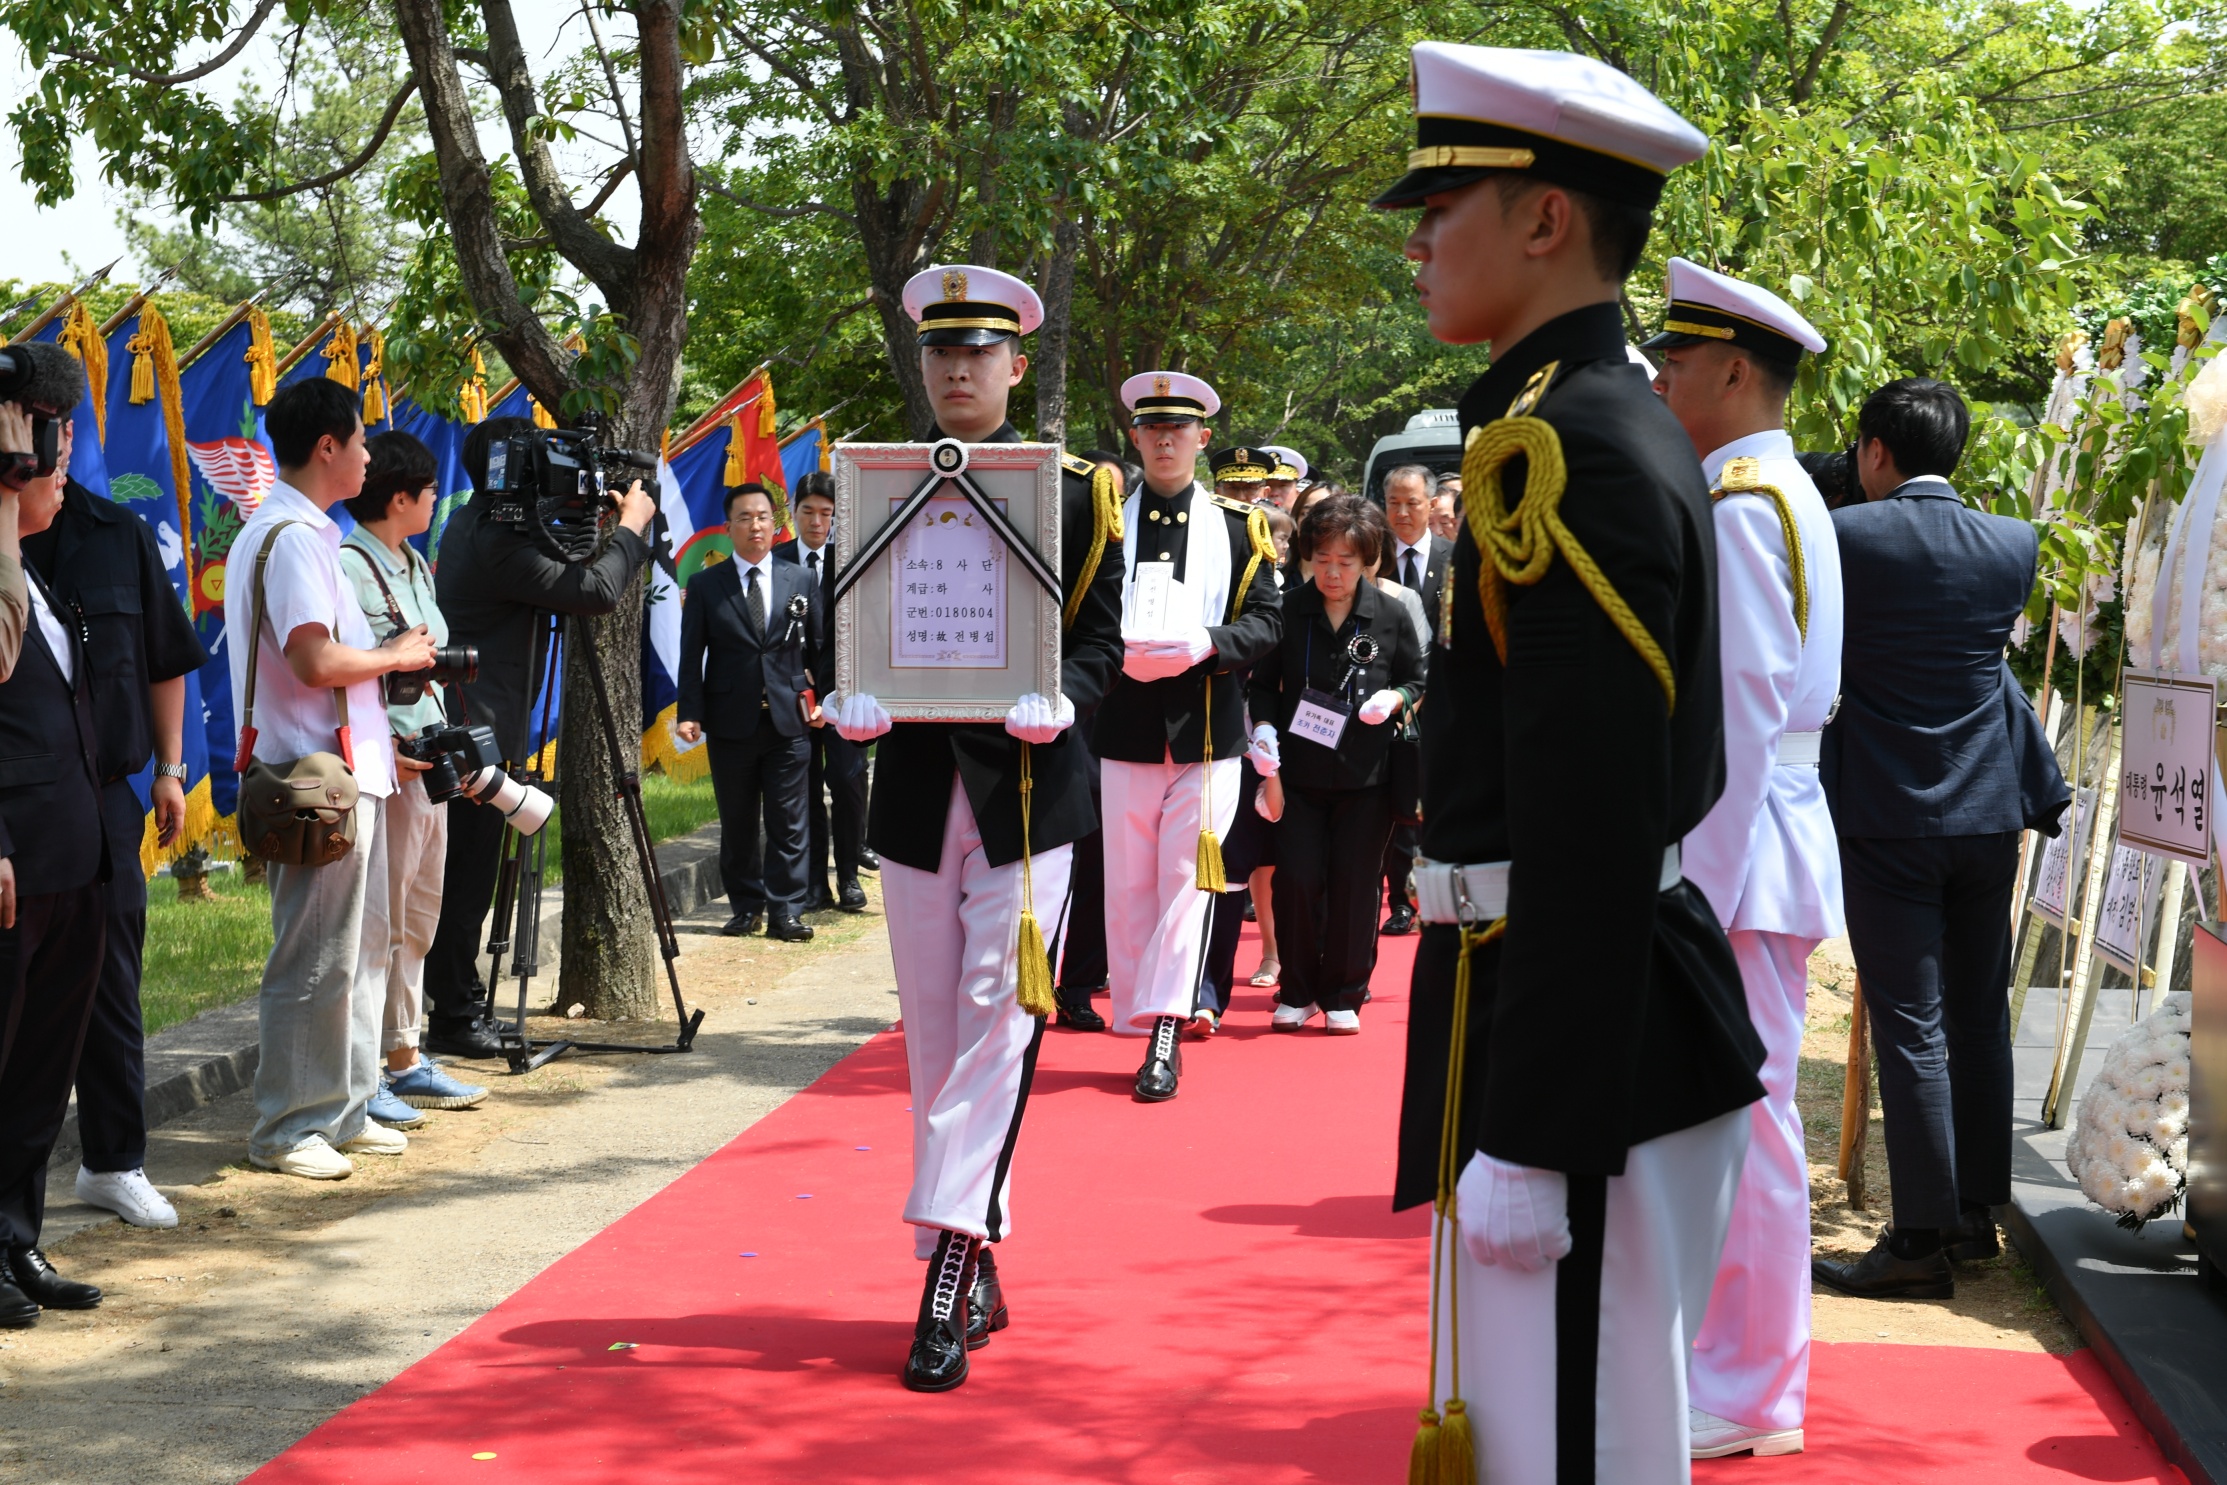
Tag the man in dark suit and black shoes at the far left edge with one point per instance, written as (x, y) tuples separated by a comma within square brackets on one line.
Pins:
[(55, 872)]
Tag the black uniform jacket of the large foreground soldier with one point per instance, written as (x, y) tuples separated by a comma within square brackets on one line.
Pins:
[(1611, 1012)]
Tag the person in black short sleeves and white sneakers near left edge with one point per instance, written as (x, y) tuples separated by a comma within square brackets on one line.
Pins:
[(104, 567)]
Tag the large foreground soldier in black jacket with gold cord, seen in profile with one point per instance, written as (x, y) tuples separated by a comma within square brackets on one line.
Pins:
[(1580, 1056)]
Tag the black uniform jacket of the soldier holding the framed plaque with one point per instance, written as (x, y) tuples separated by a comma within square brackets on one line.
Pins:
[(914, 763)]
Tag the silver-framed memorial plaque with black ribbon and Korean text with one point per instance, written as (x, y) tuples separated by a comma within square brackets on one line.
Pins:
[(950, 602)]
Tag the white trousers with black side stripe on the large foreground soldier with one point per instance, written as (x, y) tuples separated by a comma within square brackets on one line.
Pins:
[(1658, 1257)]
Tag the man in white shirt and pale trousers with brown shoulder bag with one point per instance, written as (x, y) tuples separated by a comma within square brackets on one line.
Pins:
[(315, 669)]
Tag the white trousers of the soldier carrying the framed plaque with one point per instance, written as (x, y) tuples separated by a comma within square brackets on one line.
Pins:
[(968, 1043)]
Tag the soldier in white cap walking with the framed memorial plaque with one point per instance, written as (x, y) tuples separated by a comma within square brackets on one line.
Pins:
[(974, 827)]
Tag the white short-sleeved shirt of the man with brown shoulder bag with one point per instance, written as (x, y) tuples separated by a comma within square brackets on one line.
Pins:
[(304, 584)]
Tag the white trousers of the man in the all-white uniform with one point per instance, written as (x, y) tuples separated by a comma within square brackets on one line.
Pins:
[(1752, 1364)]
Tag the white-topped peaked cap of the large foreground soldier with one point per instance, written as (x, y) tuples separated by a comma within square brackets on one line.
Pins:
[(1549, 115)]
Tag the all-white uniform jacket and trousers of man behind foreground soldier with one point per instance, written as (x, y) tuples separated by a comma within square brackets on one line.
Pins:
[(1769, 863)]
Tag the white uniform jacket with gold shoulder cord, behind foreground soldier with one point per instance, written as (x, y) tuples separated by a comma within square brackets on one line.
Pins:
[(1767, 856)]
